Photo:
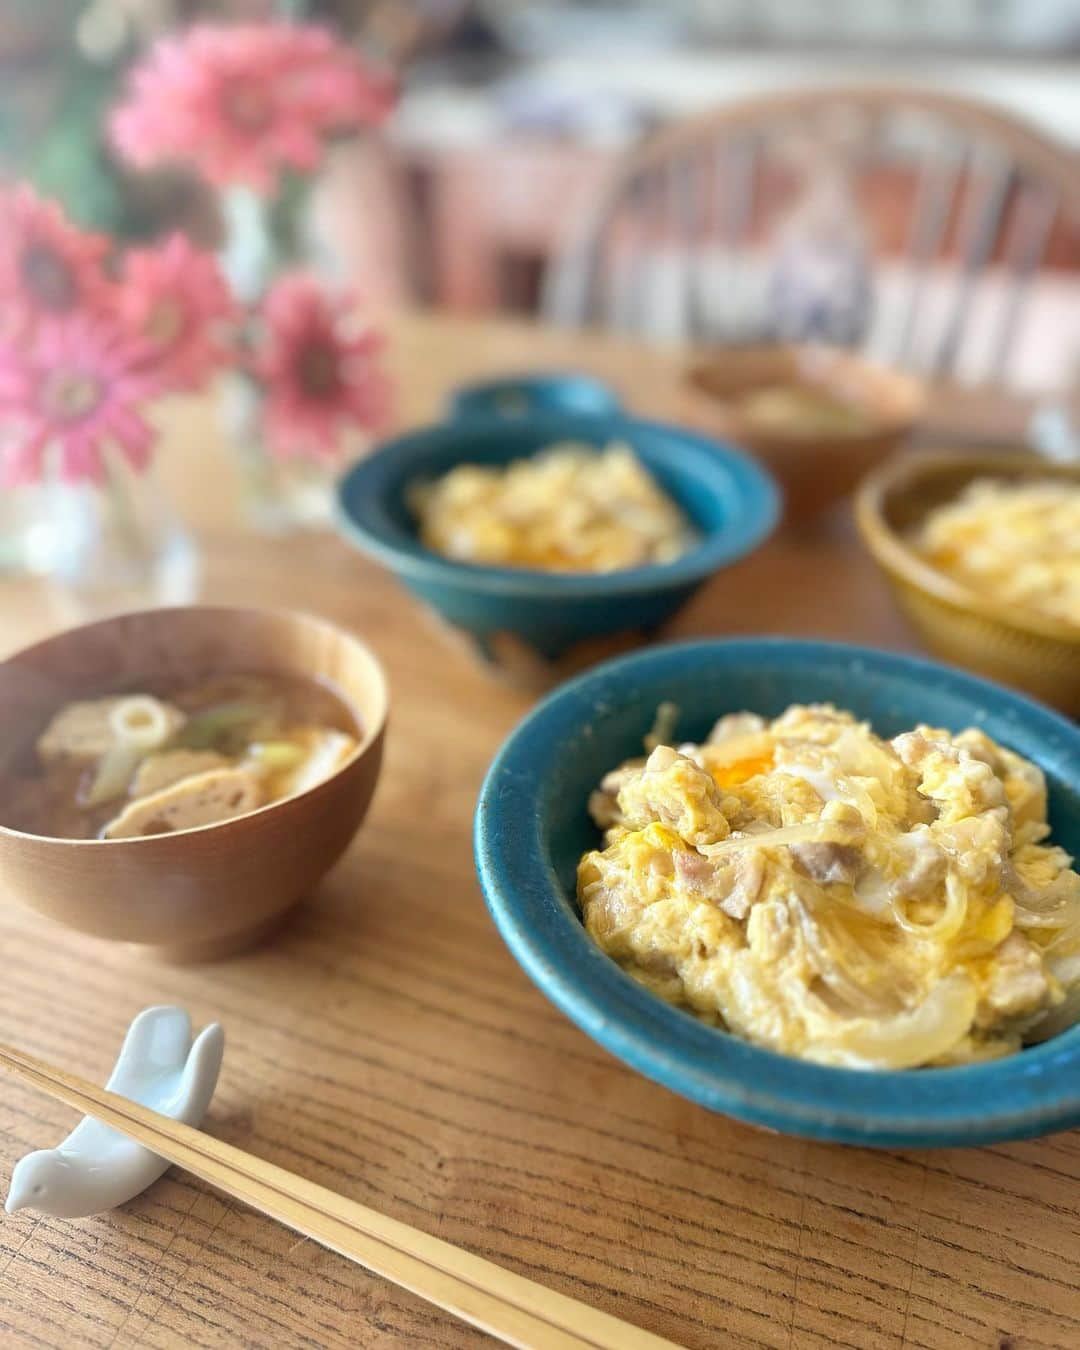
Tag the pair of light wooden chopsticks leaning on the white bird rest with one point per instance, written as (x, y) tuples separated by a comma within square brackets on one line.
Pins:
[(508, 1306)]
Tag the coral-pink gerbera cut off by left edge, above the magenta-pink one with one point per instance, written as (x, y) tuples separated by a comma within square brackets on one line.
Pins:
[(48, 267)]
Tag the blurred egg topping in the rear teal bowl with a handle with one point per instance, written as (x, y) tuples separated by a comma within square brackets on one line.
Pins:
[(569, 510)]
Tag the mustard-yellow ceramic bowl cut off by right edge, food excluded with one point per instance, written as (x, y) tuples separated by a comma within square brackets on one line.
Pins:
[(1033, 653)]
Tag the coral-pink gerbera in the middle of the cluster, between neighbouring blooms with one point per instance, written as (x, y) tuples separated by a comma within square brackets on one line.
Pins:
[(176, 302)]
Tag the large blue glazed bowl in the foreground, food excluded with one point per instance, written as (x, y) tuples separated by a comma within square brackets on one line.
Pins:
[(533, 828)]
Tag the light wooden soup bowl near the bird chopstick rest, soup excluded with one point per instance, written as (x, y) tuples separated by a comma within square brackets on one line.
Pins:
[(200, 893)]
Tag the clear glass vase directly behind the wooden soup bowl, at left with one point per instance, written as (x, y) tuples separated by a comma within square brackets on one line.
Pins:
[(111, 546)]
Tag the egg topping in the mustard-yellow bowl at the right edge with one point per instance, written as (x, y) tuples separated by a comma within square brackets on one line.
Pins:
[(1020, 543)]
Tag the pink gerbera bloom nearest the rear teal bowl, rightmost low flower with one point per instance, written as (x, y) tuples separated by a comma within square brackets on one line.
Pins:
[(321, 371)]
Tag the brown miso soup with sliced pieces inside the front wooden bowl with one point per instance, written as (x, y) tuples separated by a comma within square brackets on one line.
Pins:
[(206, 751)]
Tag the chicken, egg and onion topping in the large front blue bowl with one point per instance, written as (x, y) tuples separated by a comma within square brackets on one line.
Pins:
[(838, 897)]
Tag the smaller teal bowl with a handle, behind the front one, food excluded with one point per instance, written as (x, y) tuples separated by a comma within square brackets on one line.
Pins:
[(731, 502)]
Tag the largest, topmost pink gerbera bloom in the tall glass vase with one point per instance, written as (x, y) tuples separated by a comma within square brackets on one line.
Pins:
[(242, 103)]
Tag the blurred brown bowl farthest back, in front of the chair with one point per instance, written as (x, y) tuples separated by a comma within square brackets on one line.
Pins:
[(816, 468)]
